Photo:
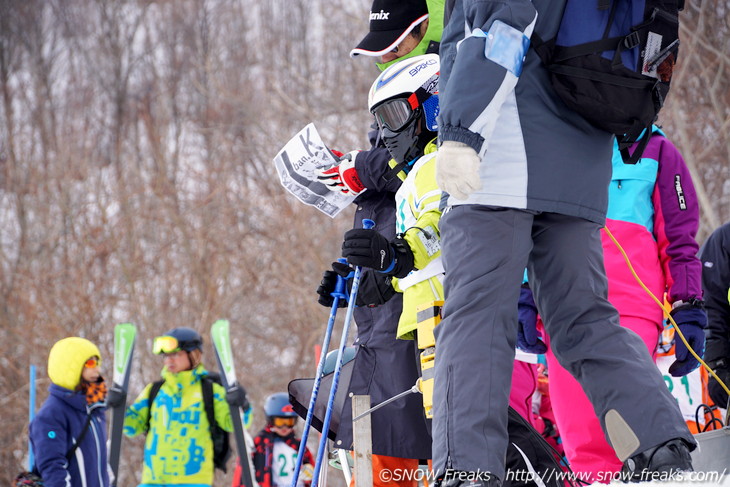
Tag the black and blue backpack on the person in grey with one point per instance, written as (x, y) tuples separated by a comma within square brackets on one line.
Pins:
[(612, 61)]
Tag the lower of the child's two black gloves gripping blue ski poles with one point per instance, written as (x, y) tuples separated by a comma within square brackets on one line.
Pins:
[(375, 288)]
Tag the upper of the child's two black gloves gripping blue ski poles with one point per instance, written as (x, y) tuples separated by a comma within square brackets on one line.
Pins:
[(368, 248)]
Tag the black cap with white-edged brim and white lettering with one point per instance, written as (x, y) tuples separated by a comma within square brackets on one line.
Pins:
[(390, 23)]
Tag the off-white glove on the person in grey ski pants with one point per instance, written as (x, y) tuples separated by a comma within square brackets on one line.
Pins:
[(457, 169)]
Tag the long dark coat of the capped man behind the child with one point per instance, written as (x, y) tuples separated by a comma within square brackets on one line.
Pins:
[(384, 366)]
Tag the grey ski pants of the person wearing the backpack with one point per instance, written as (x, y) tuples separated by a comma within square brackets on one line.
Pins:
[(485, 252)]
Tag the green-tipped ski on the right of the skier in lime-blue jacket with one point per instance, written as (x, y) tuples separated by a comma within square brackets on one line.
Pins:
[(220, 332)]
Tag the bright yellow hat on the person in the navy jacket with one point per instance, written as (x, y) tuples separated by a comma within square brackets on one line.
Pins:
[(66, 361)]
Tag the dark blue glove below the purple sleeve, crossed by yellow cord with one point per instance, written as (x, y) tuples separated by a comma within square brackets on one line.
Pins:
[(691, 319)]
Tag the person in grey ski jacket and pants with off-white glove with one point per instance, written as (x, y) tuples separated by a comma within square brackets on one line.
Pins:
[(528, 183)]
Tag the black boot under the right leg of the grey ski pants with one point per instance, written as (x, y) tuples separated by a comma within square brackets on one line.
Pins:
[(670, 457)]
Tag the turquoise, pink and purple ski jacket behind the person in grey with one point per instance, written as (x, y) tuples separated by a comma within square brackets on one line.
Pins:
[(653, 212)]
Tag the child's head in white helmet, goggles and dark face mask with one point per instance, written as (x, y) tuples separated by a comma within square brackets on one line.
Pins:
[(404, 101)]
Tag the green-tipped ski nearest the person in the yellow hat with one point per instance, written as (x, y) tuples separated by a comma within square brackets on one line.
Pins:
[(125, 335)]
